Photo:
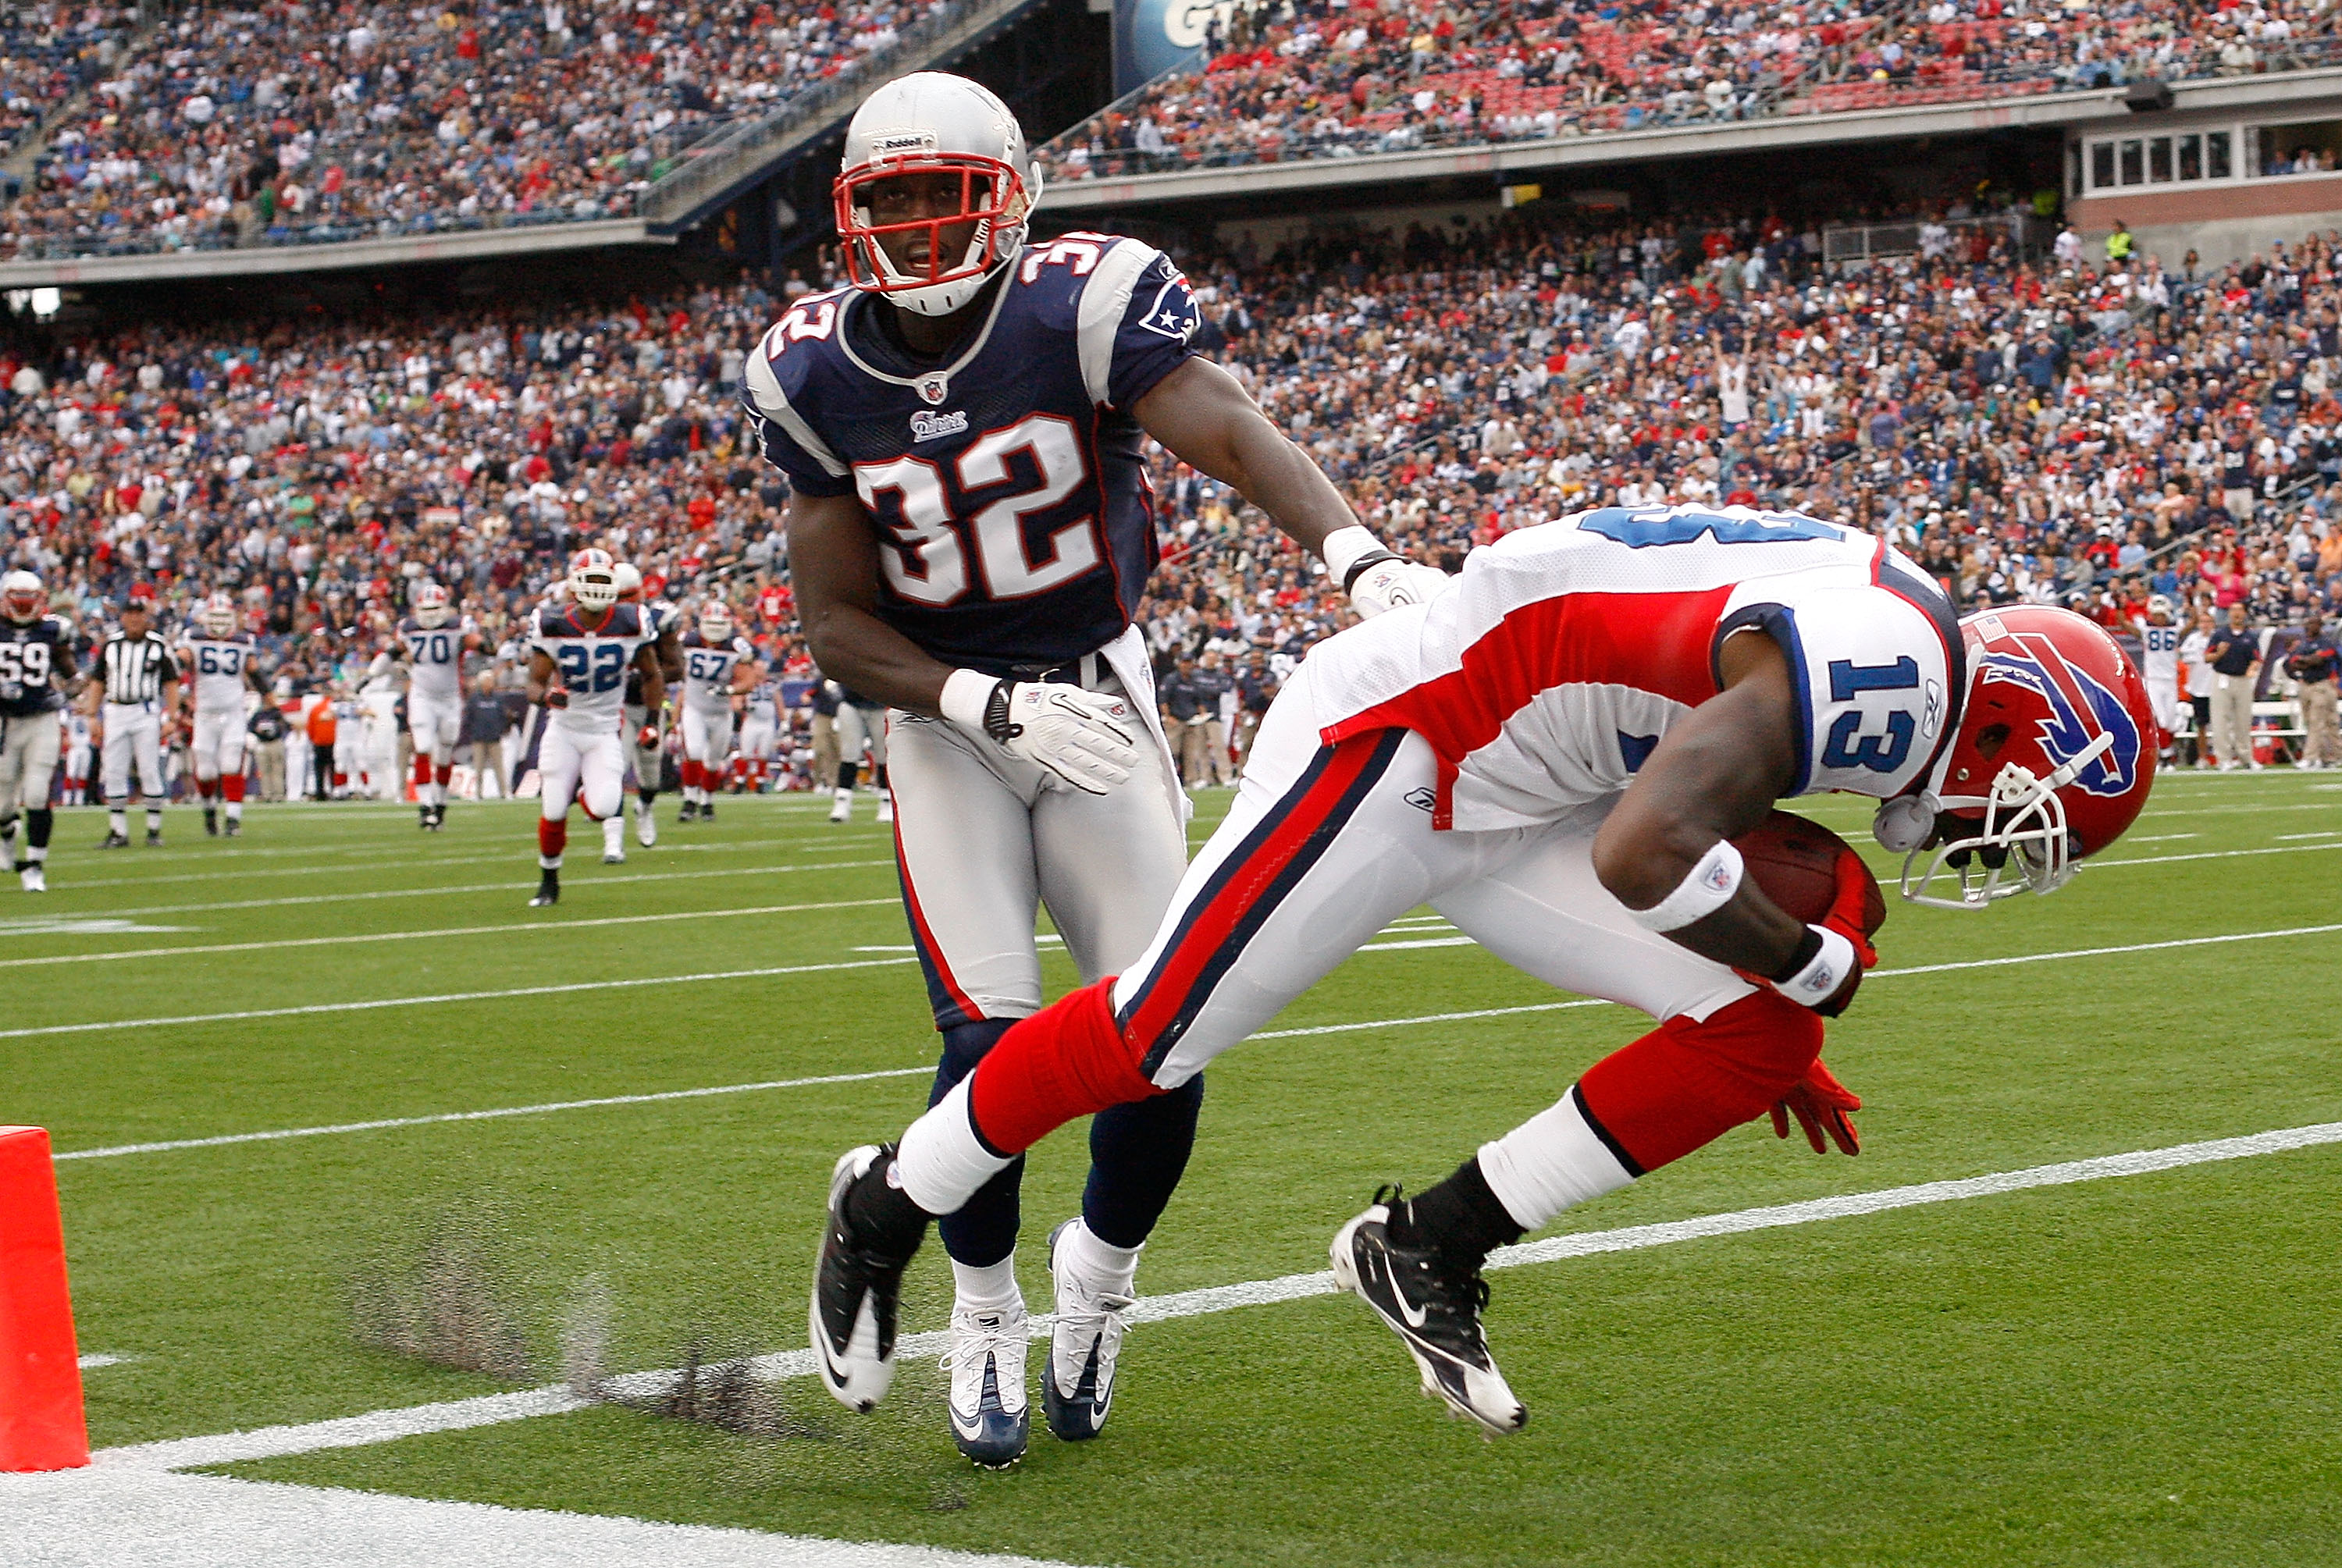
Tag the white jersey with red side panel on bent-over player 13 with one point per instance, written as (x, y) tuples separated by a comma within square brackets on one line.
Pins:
[(1549, 670)]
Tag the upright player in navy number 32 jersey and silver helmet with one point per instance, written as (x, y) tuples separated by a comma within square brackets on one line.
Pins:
[(968, 532)]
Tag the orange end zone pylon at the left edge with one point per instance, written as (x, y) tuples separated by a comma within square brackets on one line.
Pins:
[(41, 1375)]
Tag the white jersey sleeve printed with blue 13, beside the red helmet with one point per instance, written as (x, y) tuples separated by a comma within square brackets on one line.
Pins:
[(1872, 689)]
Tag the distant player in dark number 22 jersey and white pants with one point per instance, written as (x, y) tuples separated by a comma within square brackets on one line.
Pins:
[(580, 656)]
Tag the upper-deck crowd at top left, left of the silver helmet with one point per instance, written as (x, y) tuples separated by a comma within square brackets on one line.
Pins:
[(294, 123)]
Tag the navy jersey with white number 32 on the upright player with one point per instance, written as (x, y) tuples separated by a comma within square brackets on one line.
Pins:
[(1006, 486)]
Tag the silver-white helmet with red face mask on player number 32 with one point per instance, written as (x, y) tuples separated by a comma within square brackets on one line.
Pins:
[(936, 125)]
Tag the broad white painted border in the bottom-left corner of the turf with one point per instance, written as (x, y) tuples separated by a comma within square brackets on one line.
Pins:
[(111, 1518)]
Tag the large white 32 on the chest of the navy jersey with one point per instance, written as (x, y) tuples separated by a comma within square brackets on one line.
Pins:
[(931, 568)]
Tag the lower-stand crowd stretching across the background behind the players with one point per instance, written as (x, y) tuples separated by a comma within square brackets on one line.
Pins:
[(2027, 429)]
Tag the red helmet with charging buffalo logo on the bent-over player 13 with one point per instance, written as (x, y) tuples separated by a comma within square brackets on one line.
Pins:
[(2050, 764)]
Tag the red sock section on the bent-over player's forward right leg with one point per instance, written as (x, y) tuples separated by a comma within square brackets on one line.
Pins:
[(1690, 1082)]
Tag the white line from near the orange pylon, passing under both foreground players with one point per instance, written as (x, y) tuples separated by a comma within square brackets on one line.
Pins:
[(554, 1401)]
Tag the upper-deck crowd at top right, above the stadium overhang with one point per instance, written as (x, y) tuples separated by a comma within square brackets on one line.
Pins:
[(1331, 78)]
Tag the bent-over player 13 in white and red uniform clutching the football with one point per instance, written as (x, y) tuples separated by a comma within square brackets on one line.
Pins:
[(1556, 752)]
